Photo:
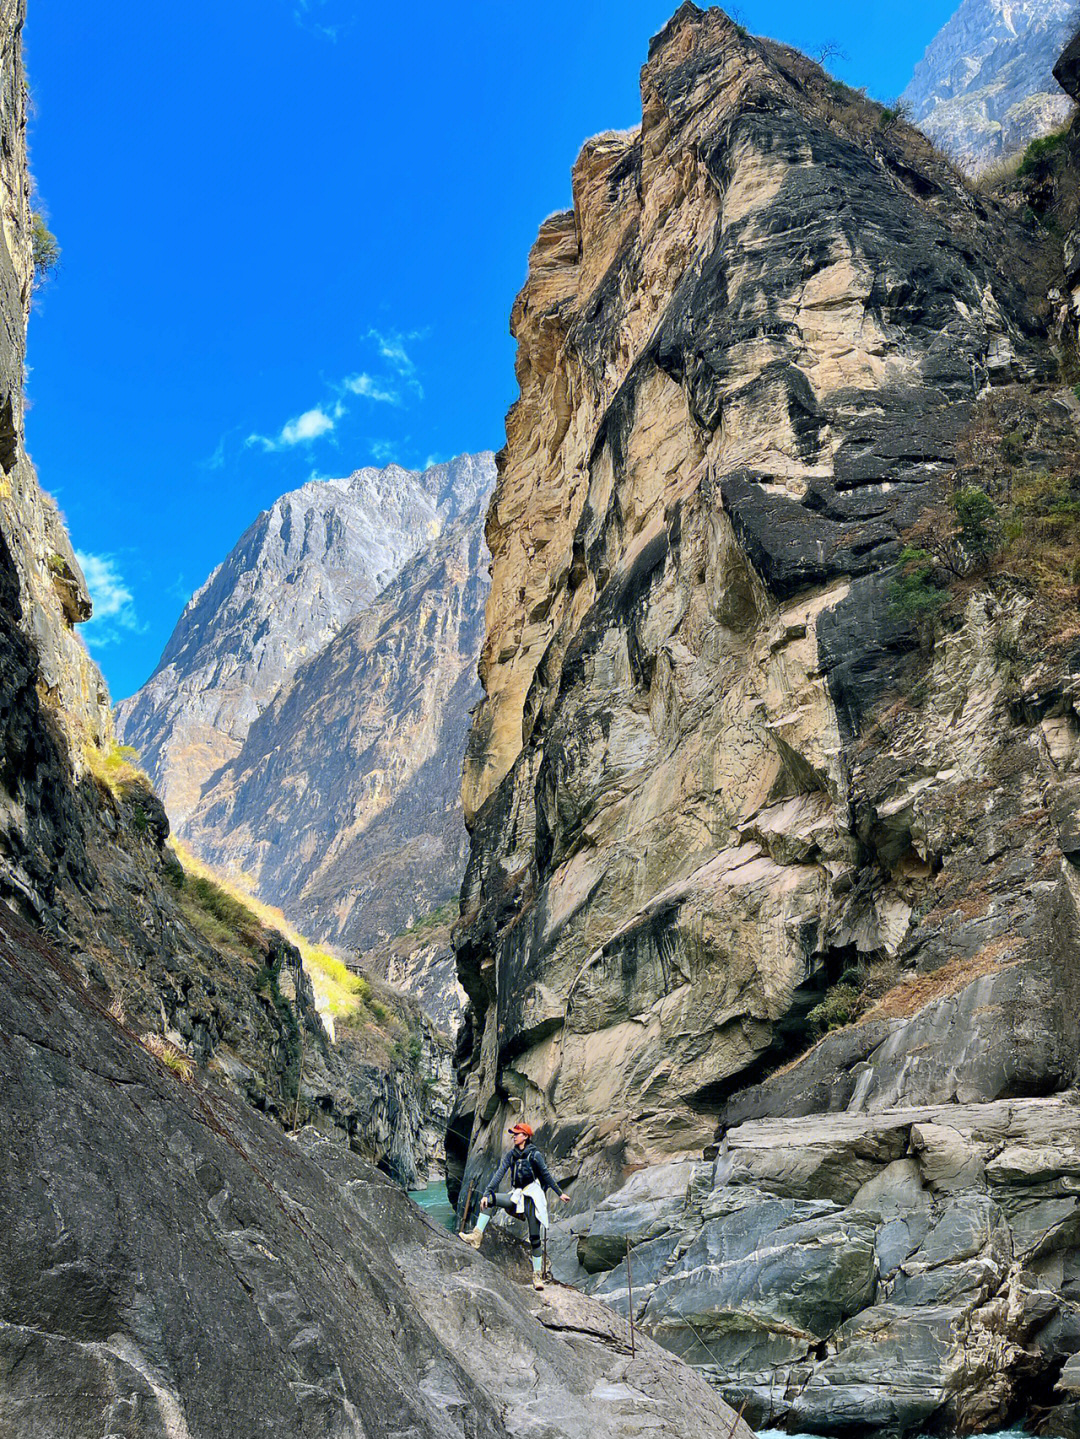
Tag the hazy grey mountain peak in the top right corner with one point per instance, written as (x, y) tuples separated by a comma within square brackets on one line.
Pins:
[(986, 87)]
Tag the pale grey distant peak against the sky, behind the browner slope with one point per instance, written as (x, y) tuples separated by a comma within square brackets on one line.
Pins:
[(306, 568)]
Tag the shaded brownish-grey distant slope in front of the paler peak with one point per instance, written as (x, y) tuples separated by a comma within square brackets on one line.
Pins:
[(343, 807)]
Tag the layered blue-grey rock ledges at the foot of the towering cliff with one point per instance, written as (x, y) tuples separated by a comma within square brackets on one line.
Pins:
[(861, 1273)]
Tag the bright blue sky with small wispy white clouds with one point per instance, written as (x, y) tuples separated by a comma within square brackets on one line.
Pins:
[(293, 232)]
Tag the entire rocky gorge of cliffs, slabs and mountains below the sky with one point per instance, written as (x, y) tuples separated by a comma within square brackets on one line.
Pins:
[(747, 871)]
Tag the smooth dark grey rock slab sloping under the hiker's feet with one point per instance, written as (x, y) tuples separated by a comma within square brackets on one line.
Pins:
[(172, 1267)]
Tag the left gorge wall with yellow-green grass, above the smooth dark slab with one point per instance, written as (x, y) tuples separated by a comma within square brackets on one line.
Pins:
[(84, 854)]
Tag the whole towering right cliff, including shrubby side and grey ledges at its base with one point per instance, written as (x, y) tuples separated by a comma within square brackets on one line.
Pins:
[(773, 788)]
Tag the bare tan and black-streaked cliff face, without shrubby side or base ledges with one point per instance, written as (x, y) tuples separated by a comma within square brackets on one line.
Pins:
[(746, 360)]
